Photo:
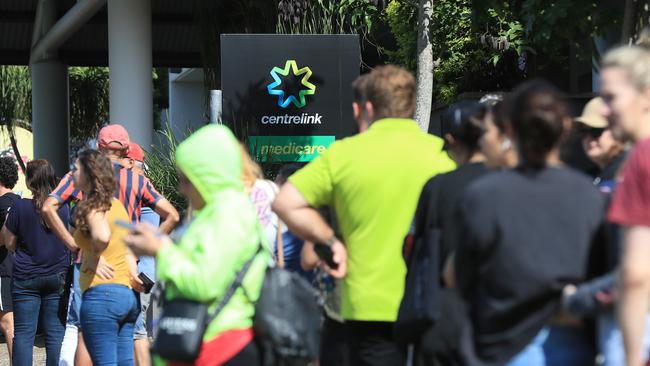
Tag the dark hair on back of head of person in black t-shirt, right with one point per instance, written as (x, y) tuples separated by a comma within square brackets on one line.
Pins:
[(538, 113)]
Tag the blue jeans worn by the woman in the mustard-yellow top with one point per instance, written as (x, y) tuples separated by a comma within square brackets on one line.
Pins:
[(108, 314)]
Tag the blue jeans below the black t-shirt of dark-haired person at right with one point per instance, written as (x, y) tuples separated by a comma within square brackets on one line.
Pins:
[(557, 345)]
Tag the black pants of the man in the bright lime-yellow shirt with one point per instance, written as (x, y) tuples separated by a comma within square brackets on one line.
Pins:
[(373, 344)]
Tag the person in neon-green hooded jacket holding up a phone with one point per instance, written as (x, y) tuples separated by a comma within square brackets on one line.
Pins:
[(222, 235)]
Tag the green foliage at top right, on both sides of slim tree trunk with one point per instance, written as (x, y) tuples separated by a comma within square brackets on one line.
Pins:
[(494, 44)]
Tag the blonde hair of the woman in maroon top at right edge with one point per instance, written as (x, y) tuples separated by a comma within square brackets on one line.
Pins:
[(635, 60)]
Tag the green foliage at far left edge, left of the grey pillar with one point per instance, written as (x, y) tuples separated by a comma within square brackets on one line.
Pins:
[(15, 95)]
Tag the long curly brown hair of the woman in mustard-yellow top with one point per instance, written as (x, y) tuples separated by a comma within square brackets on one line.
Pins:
[(100, 177)]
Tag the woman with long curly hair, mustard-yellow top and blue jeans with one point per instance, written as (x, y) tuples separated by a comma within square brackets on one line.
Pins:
[(109, 308)]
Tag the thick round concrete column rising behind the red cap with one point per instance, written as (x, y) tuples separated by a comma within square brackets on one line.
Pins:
[(130, 68)]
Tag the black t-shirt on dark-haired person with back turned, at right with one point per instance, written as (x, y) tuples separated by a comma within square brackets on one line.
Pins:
[(525, 235)]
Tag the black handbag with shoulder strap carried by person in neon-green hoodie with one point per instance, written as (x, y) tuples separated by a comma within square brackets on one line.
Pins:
[(183, 323)]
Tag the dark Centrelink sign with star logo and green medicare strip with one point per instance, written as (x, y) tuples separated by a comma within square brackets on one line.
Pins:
[(289, 95)]
